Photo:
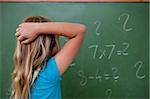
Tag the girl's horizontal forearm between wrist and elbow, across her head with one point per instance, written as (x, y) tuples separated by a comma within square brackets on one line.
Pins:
[(69, 30)]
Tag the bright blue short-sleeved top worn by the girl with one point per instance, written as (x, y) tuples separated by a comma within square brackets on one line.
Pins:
[(47, 83)]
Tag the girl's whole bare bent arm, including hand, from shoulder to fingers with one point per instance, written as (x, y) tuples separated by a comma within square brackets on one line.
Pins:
[(75, 32)]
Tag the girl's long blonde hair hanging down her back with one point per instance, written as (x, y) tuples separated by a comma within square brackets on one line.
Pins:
[(29, 57)]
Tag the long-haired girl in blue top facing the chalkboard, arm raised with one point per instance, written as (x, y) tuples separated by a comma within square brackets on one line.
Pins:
[(39, 63)]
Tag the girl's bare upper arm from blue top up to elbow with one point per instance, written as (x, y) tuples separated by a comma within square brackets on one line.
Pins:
[(66, 55)]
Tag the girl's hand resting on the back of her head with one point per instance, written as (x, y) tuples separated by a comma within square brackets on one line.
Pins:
[(27, 32)]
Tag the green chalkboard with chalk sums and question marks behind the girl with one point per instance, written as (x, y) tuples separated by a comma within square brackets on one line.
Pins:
[(113, 62)]
